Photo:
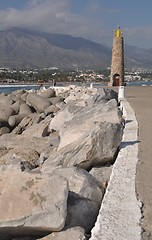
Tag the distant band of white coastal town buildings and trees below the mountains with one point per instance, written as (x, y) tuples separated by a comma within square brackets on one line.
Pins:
[(8, 75)]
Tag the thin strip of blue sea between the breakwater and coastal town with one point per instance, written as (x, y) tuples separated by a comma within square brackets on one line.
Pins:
[(8, 88)]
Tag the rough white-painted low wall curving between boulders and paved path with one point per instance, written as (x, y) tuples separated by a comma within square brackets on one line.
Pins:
[(120, 213)]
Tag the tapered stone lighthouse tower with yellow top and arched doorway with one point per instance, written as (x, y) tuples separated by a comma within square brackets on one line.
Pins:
[(117, 64)]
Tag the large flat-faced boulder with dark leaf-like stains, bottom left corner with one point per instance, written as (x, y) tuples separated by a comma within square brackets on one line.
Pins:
[(31, 204)]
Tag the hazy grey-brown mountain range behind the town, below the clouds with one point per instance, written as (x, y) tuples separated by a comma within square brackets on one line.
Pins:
[(22, 48)]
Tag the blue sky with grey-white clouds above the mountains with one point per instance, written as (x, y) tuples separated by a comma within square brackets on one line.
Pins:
[(91, 19)]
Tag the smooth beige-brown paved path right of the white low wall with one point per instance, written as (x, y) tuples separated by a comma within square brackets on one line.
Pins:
[(140, 99)]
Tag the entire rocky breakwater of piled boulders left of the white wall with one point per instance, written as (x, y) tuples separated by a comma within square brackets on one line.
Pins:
[(57, 148)]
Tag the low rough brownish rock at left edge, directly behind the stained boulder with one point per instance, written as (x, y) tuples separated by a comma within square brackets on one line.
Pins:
[(22, 146)]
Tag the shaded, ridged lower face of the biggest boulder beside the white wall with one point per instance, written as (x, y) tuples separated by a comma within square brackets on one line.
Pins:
[(97, 147)]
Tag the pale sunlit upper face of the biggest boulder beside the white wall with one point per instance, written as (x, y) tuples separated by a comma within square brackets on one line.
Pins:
[(75, 121)]
